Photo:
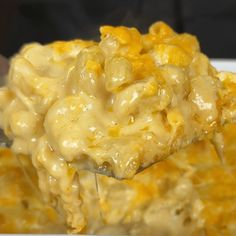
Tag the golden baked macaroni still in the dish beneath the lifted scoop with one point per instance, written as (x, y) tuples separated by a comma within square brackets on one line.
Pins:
[(191, 193)]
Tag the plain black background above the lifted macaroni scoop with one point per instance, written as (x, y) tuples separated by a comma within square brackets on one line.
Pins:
[(213, 21)]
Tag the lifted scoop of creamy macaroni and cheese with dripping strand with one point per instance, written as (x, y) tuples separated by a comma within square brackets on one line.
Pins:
[(116, 106)]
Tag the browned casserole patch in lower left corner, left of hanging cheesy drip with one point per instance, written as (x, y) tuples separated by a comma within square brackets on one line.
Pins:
[(22, 209)]
